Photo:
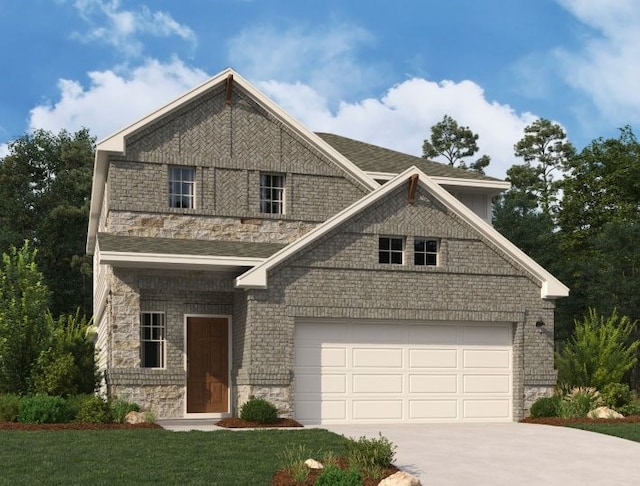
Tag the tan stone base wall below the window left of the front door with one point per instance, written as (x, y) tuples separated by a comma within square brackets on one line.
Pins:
[(165, 401)]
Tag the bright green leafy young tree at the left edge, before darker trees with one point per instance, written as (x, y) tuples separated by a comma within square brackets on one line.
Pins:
[(23, 328)]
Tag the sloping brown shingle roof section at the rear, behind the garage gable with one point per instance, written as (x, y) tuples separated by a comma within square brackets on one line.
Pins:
[(371, 158)]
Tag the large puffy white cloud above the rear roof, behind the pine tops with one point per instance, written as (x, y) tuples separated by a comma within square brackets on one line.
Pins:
[(402, 118)]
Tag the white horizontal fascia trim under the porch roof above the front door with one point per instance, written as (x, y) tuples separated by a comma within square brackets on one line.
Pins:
[(169, 260)]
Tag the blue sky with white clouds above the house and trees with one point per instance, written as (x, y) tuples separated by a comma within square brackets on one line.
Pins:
[(378, 71)]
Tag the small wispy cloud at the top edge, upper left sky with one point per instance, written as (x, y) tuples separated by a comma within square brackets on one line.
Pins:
[(111, 25)]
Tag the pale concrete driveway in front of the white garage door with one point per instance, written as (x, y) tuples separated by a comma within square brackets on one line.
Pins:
[(511, 454)]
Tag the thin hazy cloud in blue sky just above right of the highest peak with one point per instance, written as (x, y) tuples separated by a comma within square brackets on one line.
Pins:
[(324, 57)]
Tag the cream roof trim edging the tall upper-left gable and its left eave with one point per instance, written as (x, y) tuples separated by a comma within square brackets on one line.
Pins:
[(115, 144)]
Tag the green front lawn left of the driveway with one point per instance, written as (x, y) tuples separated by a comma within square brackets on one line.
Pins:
[(153, 456)]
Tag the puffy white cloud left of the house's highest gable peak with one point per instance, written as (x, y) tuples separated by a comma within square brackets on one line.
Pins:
[(114, 100)]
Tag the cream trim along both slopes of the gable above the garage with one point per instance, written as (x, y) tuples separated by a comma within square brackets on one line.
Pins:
[(550, 287)]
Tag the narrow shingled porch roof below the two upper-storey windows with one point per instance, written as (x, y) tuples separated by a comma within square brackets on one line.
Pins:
[(138, 244)]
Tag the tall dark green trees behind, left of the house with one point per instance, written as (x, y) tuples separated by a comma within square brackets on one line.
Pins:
[(45, 187)]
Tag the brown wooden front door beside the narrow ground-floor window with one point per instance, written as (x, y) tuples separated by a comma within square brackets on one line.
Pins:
[(207, 364)]
